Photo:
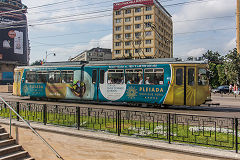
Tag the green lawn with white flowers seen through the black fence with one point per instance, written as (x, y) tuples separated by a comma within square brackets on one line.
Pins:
[(211, 136)]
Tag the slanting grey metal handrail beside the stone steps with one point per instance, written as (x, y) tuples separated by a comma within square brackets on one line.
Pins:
[(34, 131)]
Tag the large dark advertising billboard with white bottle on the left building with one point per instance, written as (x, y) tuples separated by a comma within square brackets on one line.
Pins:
[(13, 36)]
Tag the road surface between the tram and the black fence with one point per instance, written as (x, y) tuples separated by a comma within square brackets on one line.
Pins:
[(229, 106)]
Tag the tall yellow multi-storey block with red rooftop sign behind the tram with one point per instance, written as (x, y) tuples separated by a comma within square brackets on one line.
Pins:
[(141, 29)]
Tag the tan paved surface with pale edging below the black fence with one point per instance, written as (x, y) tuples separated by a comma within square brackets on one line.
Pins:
[(75, 145)]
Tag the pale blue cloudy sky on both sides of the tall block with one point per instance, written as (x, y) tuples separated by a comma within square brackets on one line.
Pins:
[(70, 27)]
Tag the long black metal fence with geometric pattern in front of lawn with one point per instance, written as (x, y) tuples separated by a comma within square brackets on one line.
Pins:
[(210, 131)]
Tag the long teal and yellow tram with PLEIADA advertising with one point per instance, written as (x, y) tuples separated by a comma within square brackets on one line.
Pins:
[(144, 81)]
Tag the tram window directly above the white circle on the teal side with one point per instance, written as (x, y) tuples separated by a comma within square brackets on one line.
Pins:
[(116, 76)]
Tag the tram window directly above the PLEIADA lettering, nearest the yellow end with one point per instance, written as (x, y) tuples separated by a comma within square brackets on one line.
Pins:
[(154, 76)]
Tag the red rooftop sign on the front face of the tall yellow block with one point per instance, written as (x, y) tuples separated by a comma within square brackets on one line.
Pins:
[(117, 6)]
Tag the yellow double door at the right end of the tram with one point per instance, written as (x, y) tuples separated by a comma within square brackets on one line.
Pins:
[(185, 86)]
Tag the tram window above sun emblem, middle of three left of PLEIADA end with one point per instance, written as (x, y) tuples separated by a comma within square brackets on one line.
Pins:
[(133, 76)]
